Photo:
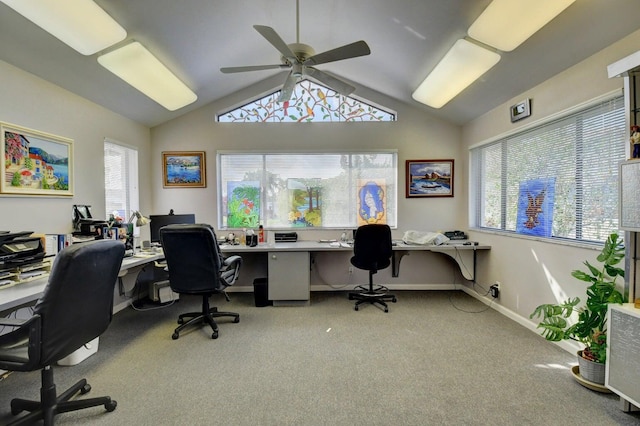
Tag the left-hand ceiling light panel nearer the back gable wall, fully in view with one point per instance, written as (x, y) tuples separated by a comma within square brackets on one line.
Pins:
[(137, 66)]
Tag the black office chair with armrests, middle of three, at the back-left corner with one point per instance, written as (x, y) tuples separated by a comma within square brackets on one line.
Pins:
[(196, 267)]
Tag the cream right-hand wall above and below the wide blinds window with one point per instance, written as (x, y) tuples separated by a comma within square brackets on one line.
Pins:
[(534, 272)]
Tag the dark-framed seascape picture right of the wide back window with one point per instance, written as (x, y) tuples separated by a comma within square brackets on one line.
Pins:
[(429, 178)]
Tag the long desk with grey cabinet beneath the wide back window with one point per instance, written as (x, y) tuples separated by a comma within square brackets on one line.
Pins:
[(289, 263)]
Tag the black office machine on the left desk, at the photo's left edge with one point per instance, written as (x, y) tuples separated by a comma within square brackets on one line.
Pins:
[(19, 248)]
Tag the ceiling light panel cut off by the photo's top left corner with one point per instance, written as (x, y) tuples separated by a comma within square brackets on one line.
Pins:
[(81, 24)]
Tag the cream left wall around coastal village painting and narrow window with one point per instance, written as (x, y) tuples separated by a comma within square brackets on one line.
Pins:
[(31, 102)]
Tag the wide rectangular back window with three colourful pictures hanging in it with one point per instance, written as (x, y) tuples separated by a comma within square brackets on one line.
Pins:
[(306, 190)]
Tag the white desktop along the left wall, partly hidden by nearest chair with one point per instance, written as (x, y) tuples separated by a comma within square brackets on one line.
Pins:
[(23, 293)]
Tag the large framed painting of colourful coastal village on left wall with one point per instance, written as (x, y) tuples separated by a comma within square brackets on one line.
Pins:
[(35, 163)]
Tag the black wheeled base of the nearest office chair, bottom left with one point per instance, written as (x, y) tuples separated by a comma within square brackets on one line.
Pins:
[(52, 404)]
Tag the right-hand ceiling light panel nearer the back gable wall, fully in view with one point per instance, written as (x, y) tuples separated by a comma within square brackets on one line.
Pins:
[(463, 64)]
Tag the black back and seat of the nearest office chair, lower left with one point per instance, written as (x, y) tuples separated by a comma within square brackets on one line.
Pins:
[(75, 308)]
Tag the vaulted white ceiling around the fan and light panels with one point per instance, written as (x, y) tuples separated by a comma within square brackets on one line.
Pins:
[(195, 38)]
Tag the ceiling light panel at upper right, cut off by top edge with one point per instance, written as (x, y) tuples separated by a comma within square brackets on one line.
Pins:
[(506, 24)]
